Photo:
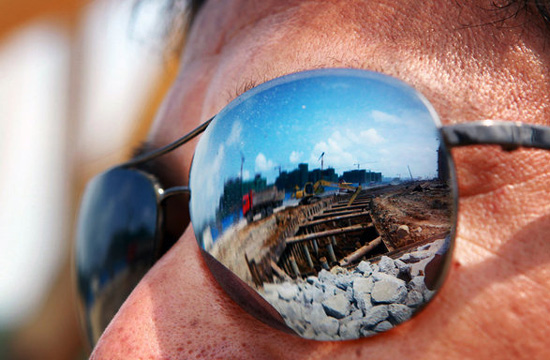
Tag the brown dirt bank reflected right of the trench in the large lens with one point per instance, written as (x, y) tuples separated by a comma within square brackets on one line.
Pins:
[(412, 212)]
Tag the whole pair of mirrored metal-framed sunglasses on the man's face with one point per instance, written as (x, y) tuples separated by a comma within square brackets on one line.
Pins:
[(324, 202)]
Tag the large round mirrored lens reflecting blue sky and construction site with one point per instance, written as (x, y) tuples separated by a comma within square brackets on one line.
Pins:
[(331, 193)]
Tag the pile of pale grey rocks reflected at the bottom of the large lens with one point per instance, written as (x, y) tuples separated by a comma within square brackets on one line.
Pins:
[(342, 304)]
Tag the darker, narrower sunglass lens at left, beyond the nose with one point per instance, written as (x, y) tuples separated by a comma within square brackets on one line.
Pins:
[(115, 243)]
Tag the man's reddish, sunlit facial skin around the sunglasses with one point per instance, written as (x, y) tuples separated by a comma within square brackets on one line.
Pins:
[(470, 66)]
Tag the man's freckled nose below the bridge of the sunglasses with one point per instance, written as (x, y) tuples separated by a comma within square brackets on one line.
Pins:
[(178, 311)]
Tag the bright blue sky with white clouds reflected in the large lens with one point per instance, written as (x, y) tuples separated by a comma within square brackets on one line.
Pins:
[(358, 119)]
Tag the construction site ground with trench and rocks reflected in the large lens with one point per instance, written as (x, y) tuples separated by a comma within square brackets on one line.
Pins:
[(336, 260)]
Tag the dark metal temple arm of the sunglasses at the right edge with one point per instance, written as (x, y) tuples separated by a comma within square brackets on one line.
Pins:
[(509, 135)]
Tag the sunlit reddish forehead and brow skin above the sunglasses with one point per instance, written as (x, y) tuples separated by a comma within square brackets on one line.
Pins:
[(438, 47)]
